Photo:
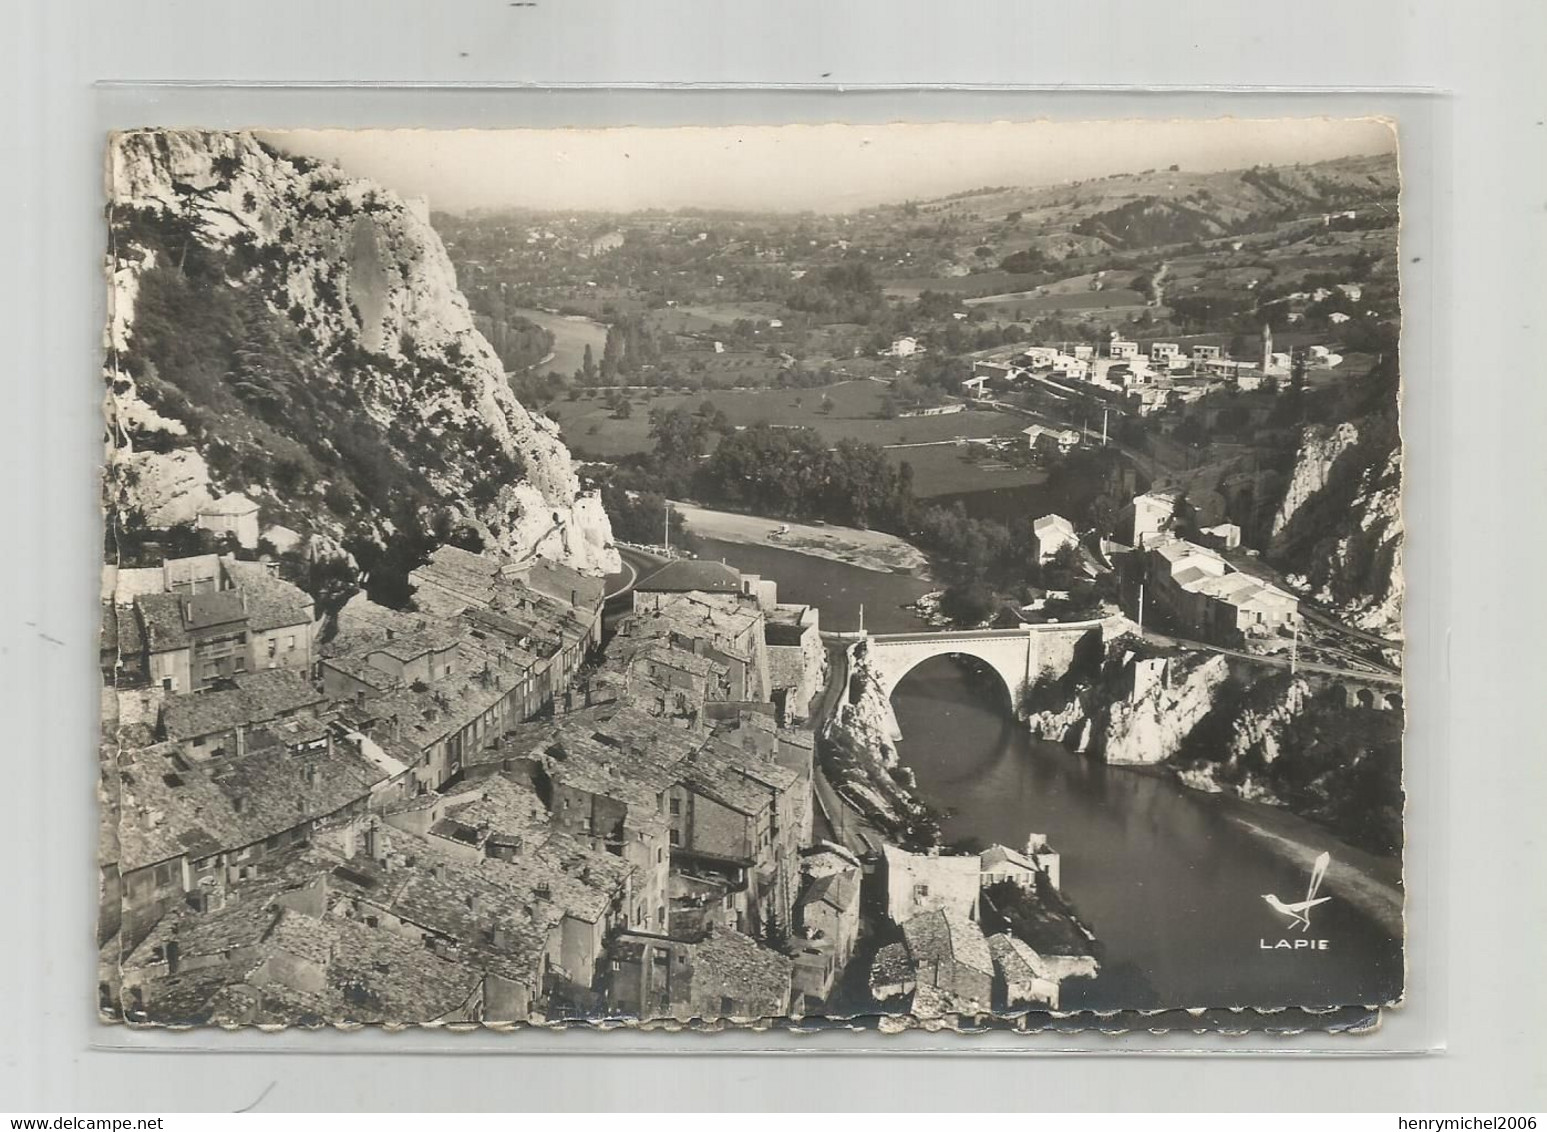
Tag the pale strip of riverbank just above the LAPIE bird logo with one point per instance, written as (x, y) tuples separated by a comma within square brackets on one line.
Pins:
[(1368, 882)]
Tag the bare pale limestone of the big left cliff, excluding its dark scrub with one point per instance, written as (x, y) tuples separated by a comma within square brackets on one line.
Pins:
[(366, 284)]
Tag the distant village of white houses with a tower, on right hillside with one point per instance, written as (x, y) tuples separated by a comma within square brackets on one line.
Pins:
[(1144, 378)]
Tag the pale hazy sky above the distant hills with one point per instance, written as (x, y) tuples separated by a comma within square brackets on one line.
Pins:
[(797, 168)]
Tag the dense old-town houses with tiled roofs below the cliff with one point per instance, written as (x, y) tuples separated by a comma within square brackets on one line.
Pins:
[(459, 811)]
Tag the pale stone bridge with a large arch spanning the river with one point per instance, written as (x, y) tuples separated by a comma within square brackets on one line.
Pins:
[(1020, 656)]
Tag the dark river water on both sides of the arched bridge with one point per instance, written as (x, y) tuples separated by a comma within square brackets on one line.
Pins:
[(1170, 885)]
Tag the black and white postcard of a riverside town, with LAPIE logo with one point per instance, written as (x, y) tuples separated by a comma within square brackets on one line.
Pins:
[(907, 575)]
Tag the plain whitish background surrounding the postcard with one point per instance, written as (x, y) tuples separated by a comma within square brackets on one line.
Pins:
[(1475, 304)]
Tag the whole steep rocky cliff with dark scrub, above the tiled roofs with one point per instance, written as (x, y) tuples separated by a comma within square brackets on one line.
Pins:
[(285, 332)]
